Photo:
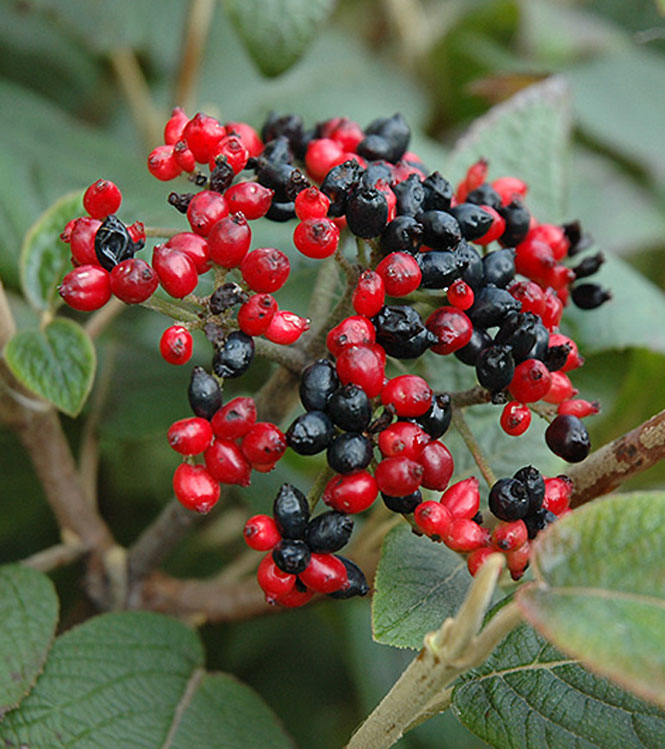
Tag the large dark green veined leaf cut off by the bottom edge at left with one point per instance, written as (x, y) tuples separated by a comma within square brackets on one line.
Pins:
[(136, 679)]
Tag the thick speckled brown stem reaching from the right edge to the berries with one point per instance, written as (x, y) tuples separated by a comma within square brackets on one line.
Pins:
[(612, 464)]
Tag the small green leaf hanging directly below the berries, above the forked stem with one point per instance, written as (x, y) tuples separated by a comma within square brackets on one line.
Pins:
[(418, 584)]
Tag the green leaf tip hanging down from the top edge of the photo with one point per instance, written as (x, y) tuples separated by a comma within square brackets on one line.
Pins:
[(276, 34)]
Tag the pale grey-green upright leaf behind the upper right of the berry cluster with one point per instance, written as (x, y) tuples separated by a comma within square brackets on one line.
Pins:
[(525, 137)]
